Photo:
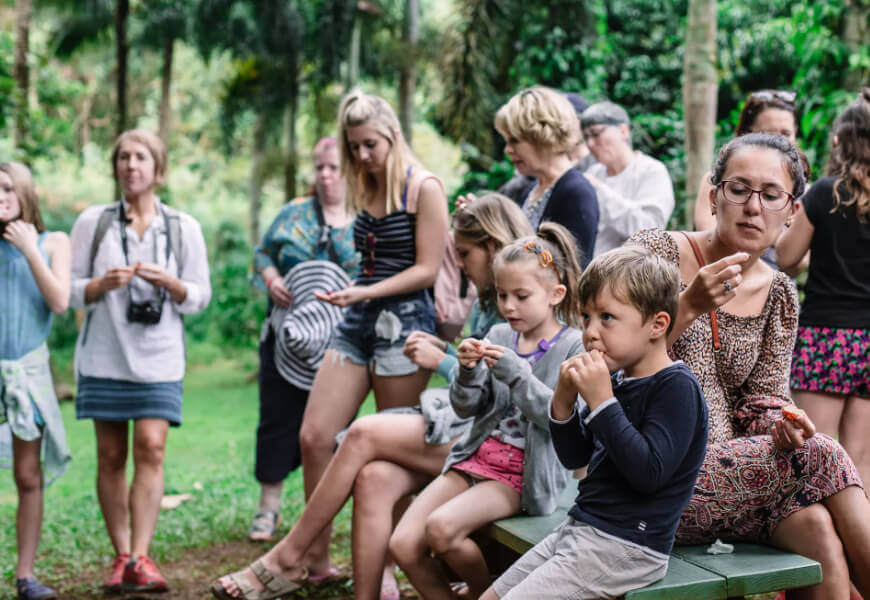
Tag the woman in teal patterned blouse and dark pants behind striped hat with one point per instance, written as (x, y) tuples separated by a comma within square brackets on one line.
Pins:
[(314, 227)]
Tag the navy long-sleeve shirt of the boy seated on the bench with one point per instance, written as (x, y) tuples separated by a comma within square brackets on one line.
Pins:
[(644, 448)]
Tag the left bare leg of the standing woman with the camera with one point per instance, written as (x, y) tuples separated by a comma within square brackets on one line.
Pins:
[(112, 489)]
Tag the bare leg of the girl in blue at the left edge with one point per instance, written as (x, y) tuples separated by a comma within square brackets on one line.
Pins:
[(27, 472)]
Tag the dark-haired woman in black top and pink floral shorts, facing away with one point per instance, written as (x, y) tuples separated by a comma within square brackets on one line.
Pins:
[(830, 372)]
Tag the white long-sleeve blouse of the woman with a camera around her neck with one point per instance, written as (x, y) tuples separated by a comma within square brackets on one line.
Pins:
[(109, 346)]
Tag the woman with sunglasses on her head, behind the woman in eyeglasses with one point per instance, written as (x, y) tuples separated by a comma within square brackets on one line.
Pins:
[(765, 111)]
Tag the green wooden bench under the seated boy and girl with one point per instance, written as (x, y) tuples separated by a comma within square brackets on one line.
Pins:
[(692, 573)]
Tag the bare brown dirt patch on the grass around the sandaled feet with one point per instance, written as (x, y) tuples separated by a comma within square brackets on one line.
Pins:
[(190, 577)]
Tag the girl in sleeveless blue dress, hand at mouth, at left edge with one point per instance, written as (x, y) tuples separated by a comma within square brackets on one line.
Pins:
[(34, 286)]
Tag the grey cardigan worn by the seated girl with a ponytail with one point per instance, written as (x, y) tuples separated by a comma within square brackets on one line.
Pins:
[(486, 393)]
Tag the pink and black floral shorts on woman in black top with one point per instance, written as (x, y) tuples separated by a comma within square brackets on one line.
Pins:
[(832, 360)]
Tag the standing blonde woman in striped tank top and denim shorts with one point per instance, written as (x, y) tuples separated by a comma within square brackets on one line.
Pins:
[(401, 231)]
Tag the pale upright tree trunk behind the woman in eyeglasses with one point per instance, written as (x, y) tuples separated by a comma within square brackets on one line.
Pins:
[(700, 87)]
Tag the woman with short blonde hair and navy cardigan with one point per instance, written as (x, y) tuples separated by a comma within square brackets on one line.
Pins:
[(540, 130)]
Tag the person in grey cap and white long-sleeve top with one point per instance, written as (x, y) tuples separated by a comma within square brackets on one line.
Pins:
[(634, 190)]
